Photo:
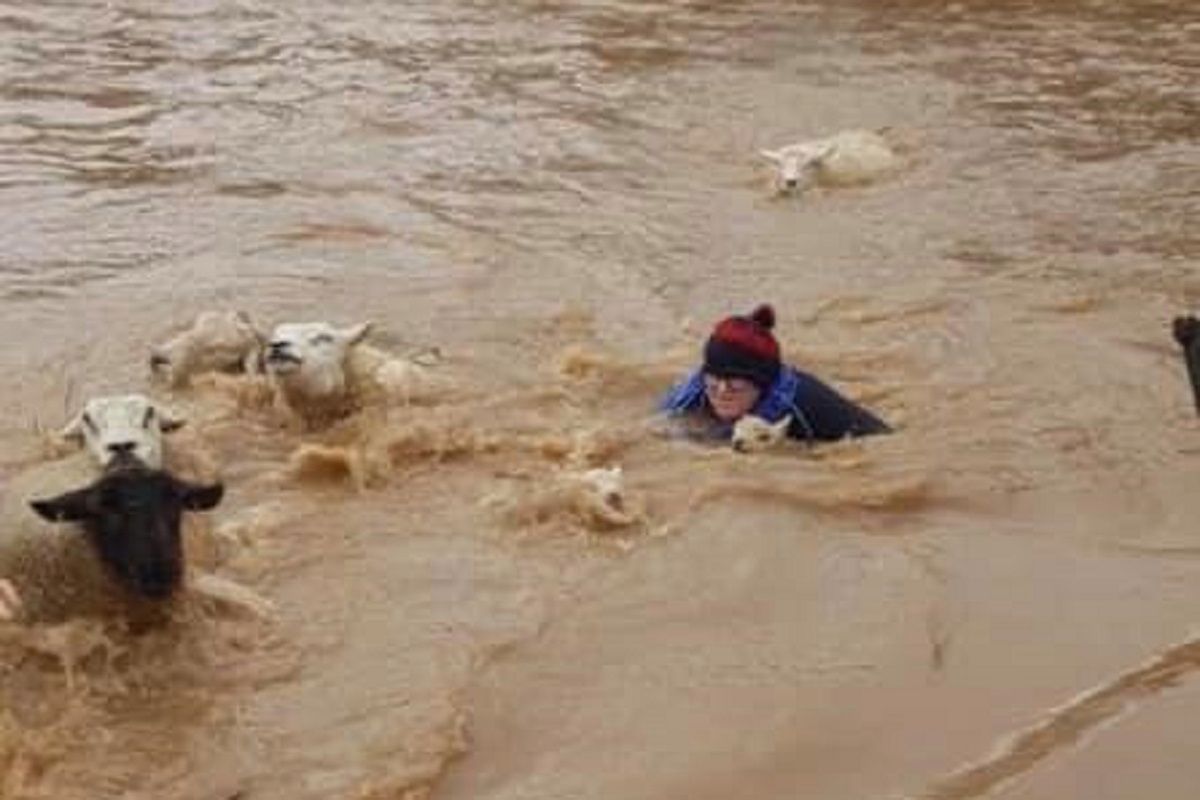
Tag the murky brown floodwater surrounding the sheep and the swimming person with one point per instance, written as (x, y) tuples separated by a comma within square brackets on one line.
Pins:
[(562, 197)]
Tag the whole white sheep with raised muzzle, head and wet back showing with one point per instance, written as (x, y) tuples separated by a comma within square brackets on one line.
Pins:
[(326, 374)]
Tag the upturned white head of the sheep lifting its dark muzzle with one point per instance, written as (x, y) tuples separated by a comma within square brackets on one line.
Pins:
[(310, 358)]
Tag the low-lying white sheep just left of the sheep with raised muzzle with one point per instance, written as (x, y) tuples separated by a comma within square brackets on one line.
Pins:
[(218, 341)]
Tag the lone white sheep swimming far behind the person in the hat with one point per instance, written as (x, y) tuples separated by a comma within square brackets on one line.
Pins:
[(845, 159)]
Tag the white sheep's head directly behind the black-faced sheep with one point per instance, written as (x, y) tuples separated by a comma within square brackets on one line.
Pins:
[(123, 426)]
